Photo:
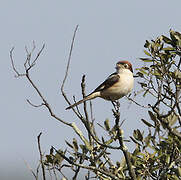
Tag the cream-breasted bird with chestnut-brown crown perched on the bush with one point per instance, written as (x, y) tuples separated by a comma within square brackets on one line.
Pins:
[(117, 85)]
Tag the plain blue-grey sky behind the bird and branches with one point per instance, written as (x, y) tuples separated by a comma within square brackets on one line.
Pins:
[(108, 31)]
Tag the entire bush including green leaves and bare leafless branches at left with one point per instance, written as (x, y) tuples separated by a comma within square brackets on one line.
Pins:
[(157, 152)]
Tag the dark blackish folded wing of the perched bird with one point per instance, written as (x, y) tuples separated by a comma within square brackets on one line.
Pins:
[(110, 81)]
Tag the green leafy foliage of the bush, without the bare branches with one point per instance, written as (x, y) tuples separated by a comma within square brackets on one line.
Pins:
[(157, 155)]
